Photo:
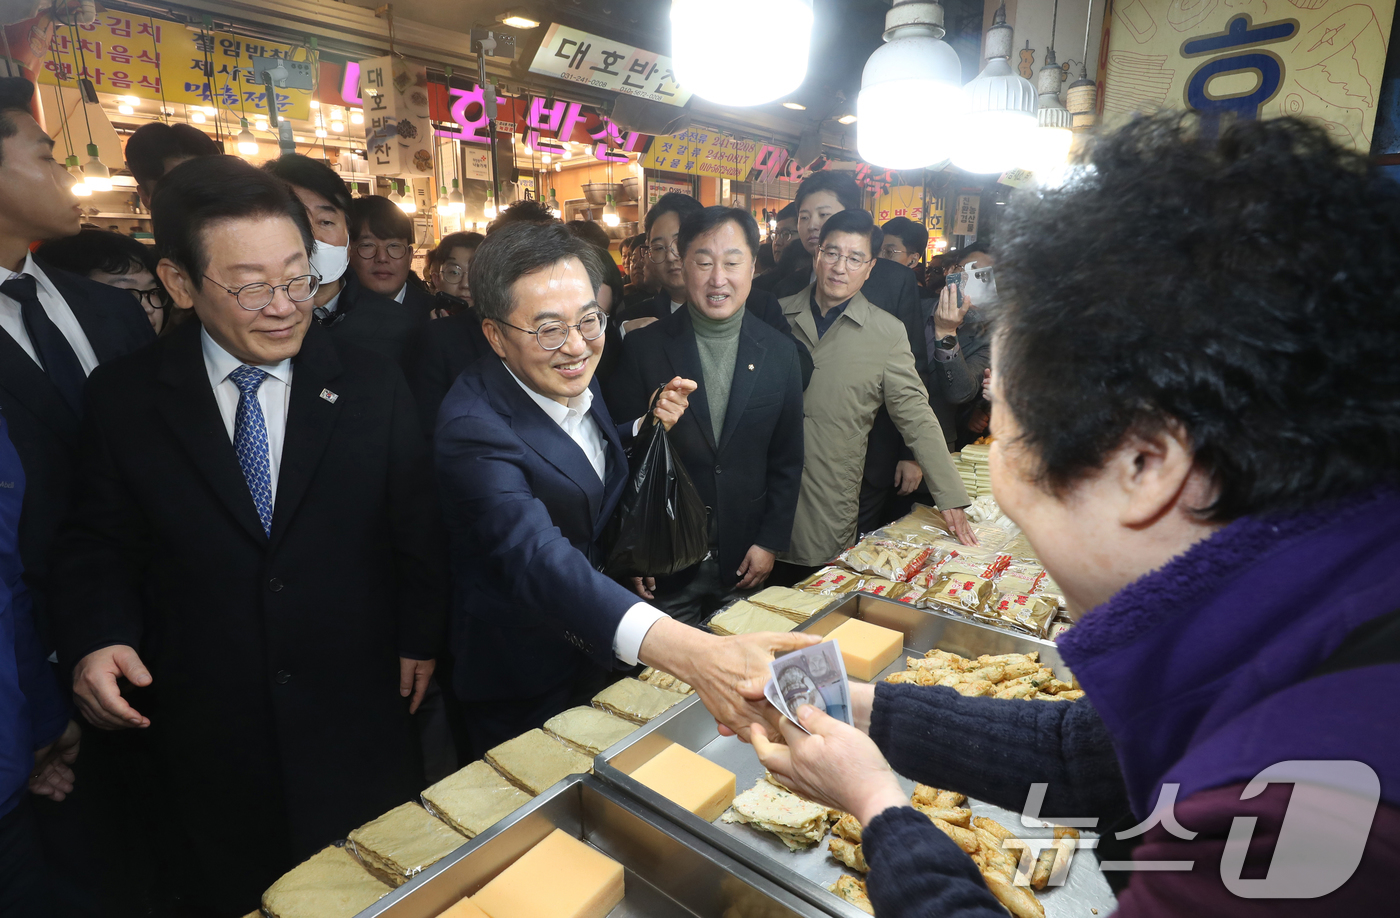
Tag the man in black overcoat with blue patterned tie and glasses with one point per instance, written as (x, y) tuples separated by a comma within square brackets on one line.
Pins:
[(255, 548)]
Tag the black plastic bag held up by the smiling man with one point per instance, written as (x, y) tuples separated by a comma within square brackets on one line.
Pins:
[(661, 525)]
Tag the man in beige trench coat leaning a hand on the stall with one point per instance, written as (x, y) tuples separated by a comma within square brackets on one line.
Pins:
[(862, 360)]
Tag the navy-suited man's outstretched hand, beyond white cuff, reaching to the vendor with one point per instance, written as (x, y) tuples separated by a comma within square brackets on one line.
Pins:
[(727, 672)]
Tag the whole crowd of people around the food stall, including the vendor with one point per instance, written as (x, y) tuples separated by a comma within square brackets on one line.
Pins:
[(295, 532)]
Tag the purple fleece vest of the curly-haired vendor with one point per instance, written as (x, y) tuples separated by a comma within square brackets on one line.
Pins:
[(1200, 670)]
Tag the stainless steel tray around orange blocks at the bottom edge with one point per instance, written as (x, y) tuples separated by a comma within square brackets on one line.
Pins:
[(670, 874)]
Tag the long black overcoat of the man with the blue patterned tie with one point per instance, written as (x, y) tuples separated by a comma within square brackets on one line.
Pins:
[(275, 706)]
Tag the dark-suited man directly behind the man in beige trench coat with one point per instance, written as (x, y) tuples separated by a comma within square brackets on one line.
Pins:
[(890, 464)]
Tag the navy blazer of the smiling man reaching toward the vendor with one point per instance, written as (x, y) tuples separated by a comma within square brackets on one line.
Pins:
[(524, 511)]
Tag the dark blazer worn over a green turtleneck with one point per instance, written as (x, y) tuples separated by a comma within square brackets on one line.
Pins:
[(750, 481)]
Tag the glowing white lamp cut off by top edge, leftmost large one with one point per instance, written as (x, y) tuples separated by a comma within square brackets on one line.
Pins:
[(719, 62)]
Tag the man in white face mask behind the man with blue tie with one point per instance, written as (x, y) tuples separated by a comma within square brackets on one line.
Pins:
[(349, 310)]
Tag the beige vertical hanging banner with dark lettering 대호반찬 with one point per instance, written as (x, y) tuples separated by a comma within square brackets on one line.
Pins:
[(397, 129)]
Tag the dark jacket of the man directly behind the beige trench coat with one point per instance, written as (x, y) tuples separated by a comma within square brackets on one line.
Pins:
[(894, 289)]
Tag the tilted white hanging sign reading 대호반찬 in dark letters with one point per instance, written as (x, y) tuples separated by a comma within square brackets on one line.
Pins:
[(576, 57)]
